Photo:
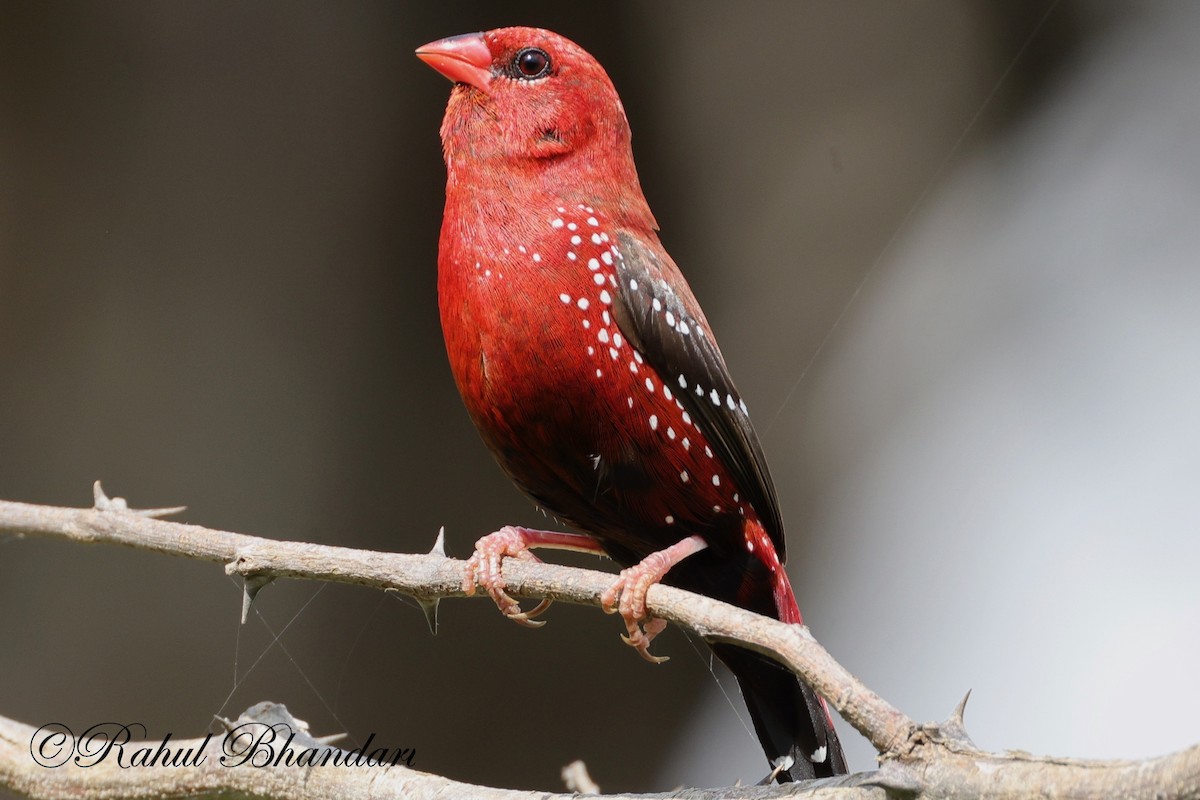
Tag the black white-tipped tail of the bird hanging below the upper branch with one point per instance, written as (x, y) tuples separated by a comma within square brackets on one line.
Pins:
[(793, 724)]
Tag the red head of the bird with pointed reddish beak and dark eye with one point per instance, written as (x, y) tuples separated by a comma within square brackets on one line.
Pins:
[(529, 103)]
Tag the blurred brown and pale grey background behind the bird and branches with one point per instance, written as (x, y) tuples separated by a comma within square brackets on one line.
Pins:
[(950, 250)]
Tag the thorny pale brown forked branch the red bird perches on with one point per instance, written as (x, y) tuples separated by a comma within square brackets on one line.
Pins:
[(917, 761)]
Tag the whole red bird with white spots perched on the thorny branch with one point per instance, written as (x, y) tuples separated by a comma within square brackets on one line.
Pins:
[(591, 371)]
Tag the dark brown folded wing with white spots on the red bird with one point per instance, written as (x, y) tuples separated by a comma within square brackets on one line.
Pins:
[(658, 314)]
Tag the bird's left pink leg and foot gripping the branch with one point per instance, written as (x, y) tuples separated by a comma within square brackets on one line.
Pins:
[(484, 566)]
